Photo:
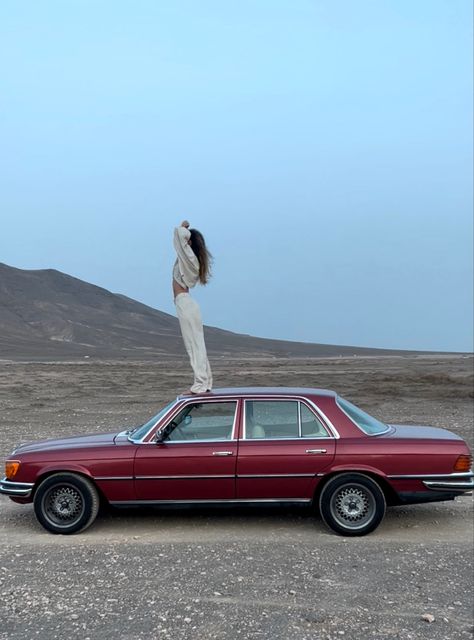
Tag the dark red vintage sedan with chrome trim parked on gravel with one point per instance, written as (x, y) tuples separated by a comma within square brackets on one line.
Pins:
[(244, 446)]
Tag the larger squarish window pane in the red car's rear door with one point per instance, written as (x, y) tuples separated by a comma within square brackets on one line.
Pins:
[(271, 419)]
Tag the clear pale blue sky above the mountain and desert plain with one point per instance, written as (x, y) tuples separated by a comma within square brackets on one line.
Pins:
[(323, 148)]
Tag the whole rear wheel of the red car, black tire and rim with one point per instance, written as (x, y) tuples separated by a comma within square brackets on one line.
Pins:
[(352, 504)]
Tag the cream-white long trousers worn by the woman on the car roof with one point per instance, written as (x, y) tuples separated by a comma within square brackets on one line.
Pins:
[(190, 321)]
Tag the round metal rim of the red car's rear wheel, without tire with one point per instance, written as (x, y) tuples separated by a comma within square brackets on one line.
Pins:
[(353, 506)]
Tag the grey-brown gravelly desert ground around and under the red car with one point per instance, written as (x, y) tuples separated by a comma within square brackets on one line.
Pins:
[(229, 574)]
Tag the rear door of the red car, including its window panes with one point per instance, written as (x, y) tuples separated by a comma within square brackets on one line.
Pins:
[(284, 446)]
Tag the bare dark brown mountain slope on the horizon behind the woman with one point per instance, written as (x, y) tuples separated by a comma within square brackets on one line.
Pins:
[(48, 314)]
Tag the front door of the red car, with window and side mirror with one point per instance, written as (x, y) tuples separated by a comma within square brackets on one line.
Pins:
[(197, 459)]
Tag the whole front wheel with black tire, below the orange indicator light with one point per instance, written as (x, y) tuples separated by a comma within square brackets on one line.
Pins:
[(66, 503)]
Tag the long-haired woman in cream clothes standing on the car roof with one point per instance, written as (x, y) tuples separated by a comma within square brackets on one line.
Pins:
[(192, 265)]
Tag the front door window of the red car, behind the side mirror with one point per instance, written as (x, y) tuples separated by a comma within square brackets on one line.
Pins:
[(203, 421)]
